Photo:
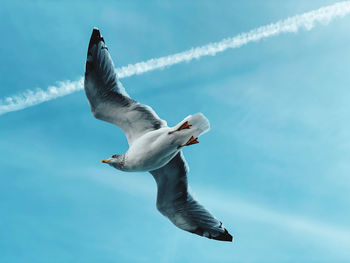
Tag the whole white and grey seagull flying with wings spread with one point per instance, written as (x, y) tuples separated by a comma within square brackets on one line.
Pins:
[(153, 146)]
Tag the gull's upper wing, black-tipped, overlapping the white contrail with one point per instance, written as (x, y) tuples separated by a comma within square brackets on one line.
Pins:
[(107, 97)]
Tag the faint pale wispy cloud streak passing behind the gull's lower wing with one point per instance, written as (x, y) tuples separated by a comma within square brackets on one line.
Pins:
[(233, 207)]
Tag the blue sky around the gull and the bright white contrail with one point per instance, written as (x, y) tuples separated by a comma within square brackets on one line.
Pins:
[(274, 168)]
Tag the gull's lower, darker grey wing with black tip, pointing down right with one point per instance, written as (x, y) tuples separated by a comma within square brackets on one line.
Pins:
[(175, 202)]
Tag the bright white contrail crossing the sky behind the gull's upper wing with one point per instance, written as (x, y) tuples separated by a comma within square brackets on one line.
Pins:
[(305, 21)]
